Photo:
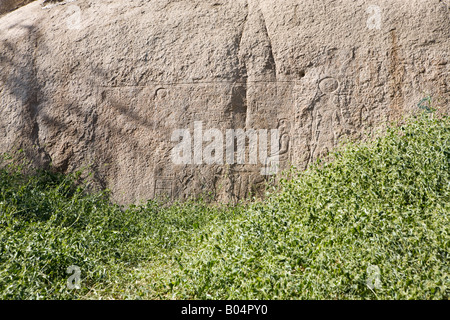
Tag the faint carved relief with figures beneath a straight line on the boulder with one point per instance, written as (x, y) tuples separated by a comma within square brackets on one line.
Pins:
[(307, 127)]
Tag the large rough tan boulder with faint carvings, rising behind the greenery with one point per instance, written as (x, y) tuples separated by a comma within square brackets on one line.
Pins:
[(108, 83)]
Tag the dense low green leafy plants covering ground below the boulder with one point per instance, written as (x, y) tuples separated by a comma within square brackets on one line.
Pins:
[(370, 222)]
